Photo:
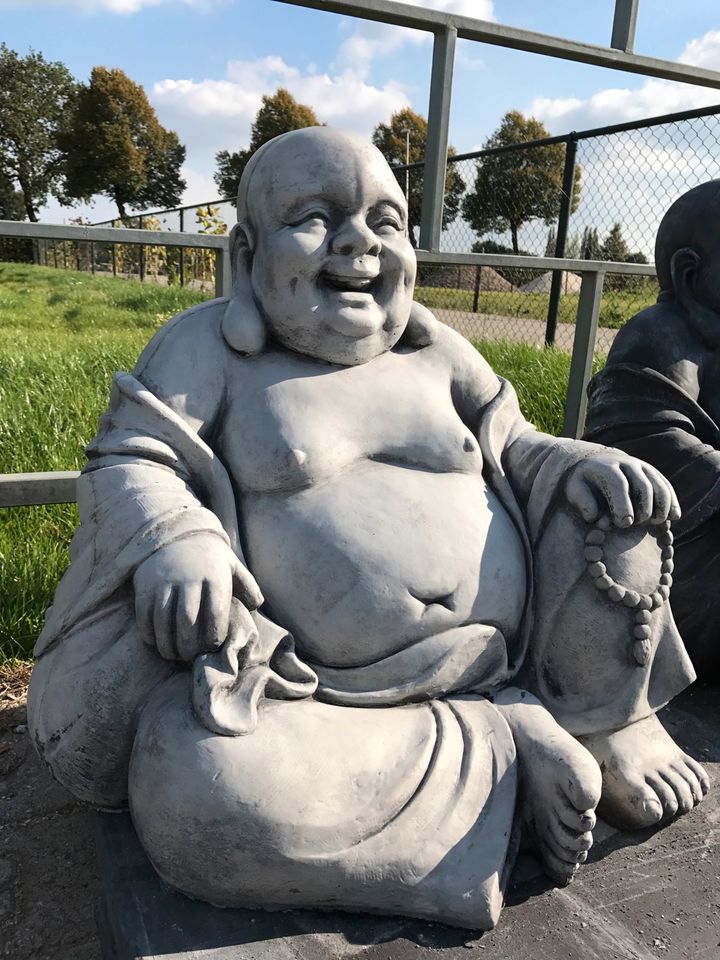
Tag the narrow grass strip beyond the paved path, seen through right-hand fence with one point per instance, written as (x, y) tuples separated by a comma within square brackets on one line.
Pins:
[(617, 306)]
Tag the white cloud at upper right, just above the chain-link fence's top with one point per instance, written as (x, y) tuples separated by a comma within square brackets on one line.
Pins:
[(651, 98)]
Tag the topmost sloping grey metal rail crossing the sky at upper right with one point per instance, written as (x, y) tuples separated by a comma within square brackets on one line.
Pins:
[(469, 28)]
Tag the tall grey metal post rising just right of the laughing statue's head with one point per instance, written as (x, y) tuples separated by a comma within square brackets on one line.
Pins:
[(437, 139)]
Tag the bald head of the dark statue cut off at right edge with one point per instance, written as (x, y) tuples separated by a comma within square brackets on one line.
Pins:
[(691, 223)]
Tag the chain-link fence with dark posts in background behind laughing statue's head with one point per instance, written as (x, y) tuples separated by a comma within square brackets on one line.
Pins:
[(594, 195)]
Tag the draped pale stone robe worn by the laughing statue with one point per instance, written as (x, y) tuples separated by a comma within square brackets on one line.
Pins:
[(255, 779)]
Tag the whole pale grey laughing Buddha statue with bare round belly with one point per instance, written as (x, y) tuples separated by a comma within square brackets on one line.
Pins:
[(340, 625)]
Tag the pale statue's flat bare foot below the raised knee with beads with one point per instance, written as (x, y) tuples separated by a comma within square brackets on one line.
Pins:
[(646, 776)]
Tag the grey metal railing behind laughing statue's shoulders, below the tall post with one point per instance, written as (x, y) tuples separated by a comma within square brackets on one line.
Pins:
[(28, 489)]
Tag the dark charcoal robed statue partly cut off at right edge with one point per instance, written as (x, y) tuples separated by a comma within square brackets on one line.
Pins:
[(659, 399)]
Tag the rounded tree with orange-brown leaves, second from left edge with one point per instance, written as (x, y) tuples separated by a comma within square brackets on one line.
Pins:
[(116, 146)]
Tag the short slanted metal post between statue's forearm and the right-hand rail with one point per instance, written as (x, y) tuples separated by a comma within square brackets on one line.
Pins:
[(586, 324)]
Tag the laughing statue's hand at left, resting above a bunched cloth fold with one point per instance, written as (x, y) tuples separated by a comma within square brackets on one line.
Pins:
[(183, 593)]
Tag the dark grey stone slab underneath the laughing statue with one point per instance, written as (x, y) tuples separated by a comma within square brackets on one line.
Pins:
[(650, 895)]
